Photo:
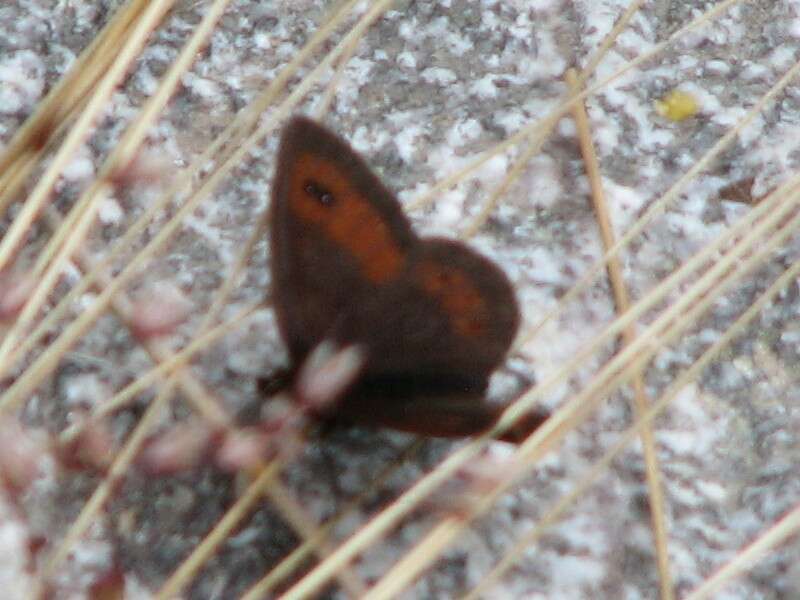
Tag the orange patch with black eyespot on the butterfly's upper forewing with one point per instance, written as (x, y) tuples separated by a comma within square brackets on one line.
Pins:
[(321, 195)]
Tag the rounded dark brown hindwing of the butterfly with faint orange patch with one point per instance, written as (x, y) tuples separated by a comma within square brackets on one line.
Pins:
[(451, 317)]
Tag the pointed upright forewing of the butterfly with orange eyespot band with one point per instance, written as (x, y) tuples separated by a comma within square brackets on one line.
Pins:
[(337, 234)]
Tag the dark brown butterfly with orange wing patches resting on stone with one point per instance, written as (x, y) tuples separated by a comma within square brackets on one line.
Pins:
[(430, 317)]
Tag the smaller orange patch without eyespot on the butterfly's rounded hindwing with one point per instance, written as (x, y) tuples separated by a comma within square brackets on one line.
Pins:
[(461, 301)]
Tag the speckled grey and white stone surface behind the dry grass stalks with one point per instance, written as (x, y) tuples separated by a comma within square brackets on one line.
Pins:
[(431, 86)]
